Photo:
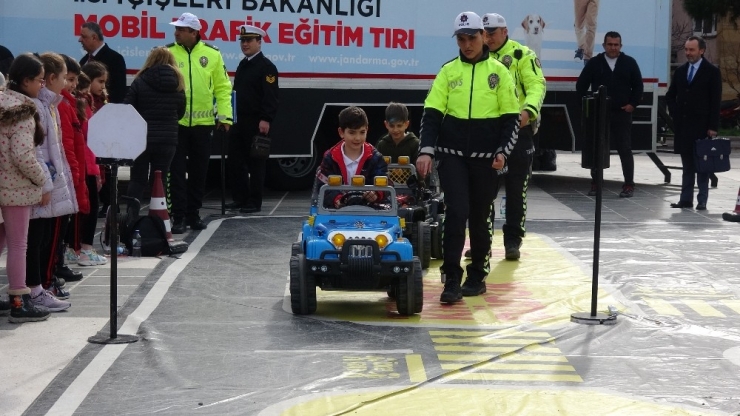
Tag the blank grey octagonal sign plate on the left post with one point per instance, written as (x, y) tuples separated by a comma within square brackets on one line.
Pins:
[(117, 131)]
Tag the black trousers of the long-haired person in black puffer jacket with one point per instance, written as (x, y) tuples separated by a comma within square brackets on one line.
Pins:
[(157, 157)]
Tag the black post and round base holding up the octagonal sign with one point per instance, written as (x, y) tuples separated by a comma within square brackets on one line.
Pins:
[(115, 337)]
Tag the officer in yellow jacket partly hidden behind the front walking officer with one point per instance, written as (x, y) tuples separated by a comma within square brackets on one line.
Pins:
[(526, 70)]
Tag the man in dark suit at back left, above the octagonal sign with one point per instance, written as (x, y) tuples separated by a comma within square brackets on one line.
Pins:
[(91, 38)]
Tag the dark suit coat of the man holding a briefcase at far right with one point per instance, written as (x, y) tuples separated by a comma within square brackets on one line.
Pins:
[(694, 107)]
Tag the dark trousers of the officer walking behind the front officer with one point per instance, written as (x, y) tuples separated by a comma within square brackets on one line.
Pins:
[(516, 181)]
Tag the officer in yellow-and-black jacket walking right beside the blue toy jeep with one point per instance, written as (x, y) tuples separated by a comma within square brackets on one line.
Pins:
[(470, 126)]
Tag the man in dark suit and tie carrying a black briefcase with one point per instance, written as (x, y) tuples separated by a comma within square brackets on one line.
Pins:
[(693, 101)]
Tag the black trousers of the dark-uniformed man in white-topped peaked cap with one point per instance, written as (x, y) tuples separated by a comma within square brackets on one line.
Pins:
[(247, 174)]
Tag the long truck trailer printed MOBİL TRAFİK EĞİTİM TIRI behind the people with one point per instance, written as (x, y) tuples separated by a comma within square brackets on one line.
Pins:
[(335, 53)]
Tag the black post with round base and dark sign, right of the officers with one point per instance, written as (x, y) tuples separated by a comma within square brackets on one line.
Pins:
[(596, 156)]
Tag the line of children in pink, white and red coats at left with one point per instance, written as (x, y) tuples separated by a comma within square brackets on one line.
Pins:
[(49, 180)]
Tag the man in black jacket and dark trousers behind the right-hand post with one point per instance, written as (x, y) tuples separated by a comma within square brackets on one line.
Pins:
[(621, 76)]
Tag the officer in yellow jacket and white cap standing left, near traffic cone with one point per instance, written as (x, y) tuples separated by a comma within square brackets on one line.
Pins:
[(205, 80)]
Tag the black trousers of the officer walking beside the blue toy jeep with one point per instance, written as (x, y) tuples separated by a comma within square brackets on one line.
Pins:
[(470, 186)]
